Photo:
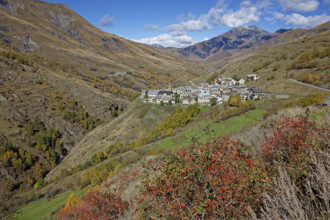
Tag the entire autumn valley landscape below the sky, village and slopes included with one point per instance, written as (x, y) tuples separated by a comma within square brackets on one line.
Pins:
[(87, 113)]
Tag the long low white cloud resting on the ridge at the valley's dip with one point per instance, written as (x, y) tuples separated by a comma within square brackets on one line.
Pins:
[(168, 40)]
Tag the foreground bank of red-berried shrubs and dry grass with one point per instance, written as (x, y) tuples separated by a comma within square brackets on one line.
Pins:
[(198, 167)]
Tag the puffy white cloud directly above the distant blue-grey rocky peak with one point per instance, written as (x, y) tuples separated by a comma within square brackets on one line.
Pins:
[(246, 13)]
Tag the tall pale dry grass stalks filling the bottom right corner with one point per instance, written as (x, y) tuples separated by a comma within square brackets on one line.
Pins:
[(288, 202)]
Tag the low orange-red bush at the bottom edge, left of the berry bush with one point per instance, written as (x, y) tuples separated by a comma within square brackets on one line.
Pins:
[(95, 205)]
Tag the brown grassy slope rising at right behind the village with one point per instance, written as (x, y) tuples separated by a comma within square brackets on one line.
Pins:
[(282, 59)]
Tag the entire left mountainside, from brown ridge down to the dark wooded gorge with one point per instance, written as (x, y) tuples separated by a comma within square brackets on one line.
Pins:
[(58, 83)]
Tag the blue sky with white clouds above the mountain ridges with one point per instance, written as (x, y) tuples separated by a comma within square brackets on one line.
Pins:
[(181, 23)]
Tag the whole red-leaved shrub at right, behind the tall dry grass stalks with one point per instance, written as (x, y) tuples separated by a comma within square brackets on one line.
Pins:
[(288, 145)]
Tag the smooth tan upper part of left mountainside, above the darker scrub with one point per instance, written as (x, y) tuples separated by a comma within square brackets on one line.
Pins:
[(59, 34)]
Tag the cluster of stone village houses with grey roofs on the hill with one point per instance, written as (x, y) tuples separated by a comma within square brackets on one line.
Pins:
[(220, 91)]
